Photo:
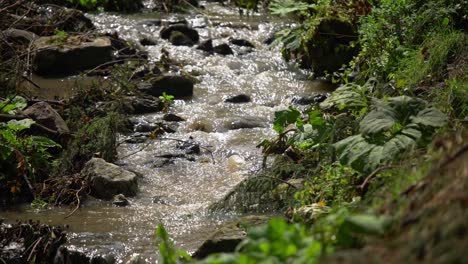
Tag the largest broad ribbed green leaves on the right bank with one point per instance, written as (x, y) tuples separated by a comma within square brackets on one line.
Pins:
[(389, 129)]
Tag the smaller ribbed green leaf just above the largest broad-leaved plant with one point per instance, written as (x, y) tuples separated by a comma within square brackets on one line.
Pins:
[(348, 95)]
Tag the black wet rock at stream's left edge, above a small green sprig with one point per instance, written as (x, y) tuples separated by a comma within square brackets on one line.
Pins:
[(178, 86)]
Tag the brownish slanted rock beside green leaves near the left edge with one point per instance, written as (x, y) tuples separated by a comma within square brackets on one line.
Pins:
[(45, 115)]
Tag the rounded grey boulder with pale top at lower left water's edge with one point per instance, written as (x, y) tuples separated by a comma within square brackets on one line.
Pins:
[(107, 179)]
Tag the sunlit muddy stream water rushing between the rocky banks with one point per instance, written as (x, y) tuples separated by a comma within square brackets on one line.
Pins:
[(177, 194)]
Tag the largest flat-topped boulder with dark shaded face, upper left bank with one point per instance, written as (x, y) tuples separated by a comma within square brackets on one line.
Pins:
[(53, 58)]
